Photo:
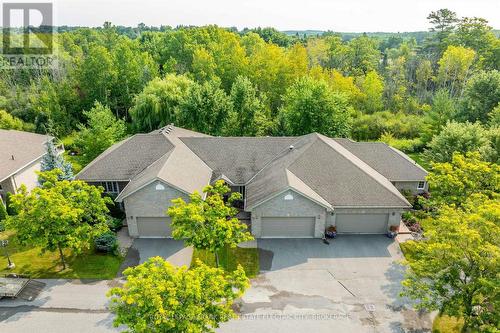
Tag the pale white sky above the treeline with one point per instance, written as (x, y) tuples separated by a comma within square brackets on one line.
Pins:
[(336, 15)]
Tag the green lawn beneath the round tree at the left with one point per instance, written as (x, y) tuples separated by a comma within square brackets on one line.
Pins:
[(29, 262)]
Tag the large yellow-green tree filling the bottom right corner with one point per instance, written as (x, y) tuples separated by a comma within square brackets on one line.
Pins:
[(455, 268)]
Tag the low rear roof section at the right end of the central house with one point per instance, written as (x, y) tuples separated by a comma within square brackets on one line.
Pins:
[(388, 161)]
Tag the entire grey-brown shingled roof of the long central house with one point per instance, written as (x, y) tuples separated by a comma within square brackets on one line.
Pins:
[(333, 173)]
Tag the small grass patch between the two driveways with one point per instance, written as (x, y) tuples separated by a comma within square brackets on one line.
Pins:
[(230, 258)]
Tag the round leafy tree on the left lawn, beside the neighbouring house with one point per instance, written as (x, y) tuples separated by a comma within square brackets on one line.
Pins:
[(59, 215)]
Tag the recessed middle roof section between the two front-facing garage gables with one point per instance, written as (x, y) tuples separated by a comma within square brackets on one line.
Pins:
[(237, 158)]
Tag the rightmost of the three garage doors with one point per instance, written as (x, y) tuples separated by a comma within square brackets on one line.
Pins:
[(362, 223)]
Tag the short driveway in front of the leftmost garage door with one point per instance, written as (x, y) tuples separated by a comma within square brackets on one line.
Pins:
[(171, 250)]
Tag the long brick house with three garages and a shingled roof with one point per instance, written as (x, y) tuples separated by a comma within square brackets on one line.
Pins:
[(292, 186)]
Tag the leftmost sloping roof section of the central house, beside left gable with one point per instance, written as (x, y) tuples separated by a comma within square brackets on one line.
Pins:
[(126, 159)]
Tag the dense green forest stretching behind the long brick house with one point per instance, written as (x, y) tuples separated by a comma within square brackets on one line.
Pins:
[(426, 93)]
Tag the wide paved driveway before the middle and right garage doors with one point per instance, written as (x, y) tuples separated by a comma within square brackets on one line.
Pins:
[(351, 285)]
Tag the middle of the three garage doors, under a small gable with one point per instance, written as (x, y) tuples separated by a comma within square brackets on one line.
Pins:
[(288, 227)]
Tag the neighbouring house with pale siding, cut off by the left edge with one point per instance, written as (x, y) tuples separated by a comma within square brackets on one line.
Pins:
[(21, 154)]
